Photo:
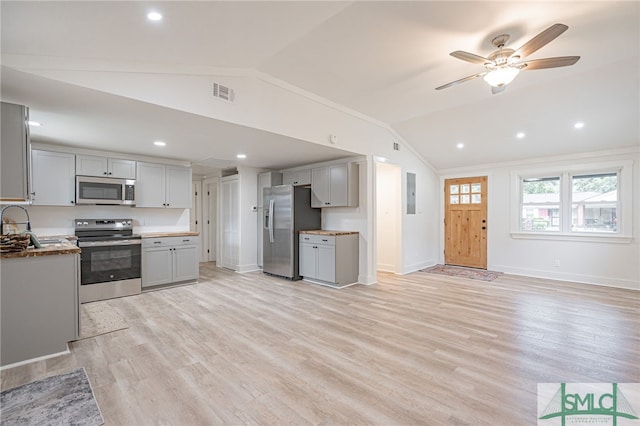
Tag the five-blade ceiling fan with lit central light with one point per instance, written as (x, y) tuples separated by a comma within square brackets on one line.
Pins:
[(504, 64)]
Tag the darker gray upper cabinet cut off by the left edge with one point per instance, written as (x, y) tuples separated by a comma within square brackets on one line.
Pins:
[(14, 153)]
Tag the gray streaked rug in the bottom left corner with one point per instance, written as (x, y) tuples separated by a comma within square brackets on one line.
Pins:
[(66, 399)]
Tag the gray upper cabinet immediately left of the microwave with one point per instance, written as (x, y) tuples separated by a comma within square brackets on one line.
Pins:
[(53, 178)]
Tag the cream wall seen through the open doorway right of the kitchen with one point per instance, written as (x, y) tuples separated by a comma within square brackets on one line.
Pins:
[(388, 216)]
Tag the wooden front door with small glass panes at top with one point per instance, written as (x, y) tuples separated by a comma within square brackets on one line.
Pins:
[(465, 223)]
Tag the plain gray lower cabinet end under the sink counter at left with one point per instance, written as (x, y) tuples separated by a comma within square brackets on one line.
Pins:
[(40, 306)]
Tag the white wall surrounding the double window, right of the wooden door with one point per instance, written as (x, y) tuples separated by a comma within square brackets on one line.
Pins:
[(587, 261)]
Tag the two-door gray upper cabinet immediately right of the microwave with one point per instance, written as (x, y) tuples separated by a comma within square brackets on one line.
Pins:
[(163, 186)]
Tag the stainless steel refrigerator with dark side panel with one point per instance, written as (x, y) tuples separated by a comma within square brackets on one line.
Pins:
[(287, 210)]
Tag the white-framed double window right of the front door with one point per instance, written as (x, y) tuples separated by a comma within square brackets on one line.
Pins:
[(582, 201)]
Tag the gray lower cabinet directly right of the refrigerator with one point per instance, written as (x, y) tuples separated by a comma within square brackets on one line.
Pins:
[(328, 259)]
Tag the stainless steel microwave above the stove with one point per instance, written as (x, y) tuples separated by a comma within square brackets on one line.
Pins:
[(100, 190)]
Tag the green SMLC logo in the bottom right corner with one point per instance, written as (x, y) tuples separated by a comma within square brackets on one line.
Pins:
[(589, 402)]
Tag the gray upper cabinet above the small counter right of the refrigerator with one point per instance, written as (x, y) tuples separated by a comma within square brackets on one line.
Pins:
[(335, 185)]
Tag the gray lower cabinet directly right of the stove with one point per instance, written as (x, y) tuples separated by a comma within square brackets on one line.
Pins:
[(169, 260)]
